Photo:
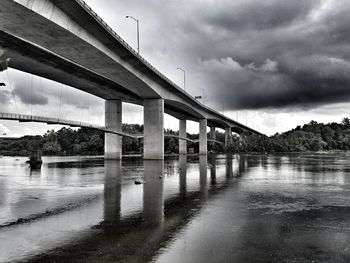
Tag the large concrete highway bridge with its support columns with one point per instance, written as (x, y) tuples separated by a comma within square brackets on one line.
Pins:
[(67, 42)]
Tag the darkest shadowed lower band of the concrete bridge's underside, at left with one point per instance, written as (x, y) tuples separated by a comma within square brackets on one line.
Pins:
[(35, 60)]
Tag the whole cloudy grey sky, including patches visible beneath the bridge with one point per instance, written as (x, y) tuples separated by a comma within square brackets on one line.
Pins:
[(270, 64)]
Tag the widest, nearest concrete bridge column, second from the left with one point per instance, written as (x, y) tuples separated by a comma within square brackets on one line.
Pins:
[(153, 142)]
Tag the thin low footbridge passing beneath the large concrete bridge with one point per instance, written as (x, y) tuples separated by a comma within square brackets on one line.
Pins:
[(58, 121)]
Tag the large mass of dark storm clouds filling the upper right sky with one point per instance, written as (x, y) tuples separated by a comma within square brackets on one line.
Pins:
[(308, 45)]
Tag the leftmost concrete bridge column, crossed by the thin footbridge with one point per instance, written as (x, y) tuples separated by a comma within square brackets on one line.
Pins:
[(113, 121)]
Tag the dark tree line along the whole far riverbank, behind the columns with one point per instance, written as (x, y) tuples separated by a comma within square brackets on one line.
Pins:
[(313, 136)]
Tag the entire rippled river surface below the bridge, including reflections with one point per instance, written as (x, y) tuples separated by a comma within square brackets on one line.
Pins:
[(240, 208)]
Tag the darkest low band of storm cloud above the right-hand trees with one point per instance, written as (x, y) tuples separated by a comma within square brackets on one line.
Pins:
[(313, 82)]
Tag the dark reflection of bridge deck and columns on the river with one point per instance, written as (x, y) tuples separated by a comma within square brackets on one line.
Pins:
[(138, 237)]
